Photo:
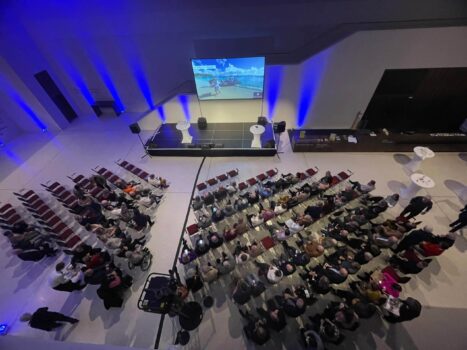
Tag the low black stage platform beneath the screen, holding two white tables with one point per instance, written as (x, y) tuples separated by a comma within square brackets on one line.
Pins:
[(218, 140)]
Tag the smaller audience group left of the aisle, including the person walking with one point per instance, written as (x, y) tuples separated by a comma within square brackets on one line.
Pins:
[(119, 218)]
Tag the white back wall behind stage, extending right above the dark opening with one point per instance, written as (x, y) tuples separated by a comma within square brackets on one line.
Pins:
[(330, 88)]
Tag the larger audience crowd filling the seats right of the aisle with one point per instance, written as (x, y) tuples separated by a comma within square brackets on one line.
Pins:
[(351, 237)]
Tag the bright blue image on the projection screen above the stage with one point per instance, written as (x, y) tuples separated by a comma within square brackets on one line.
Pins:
[(229, 78)]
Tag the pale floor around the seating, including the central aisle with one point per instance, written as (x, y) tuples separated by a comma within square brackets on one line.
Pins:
[(27, 163)]
